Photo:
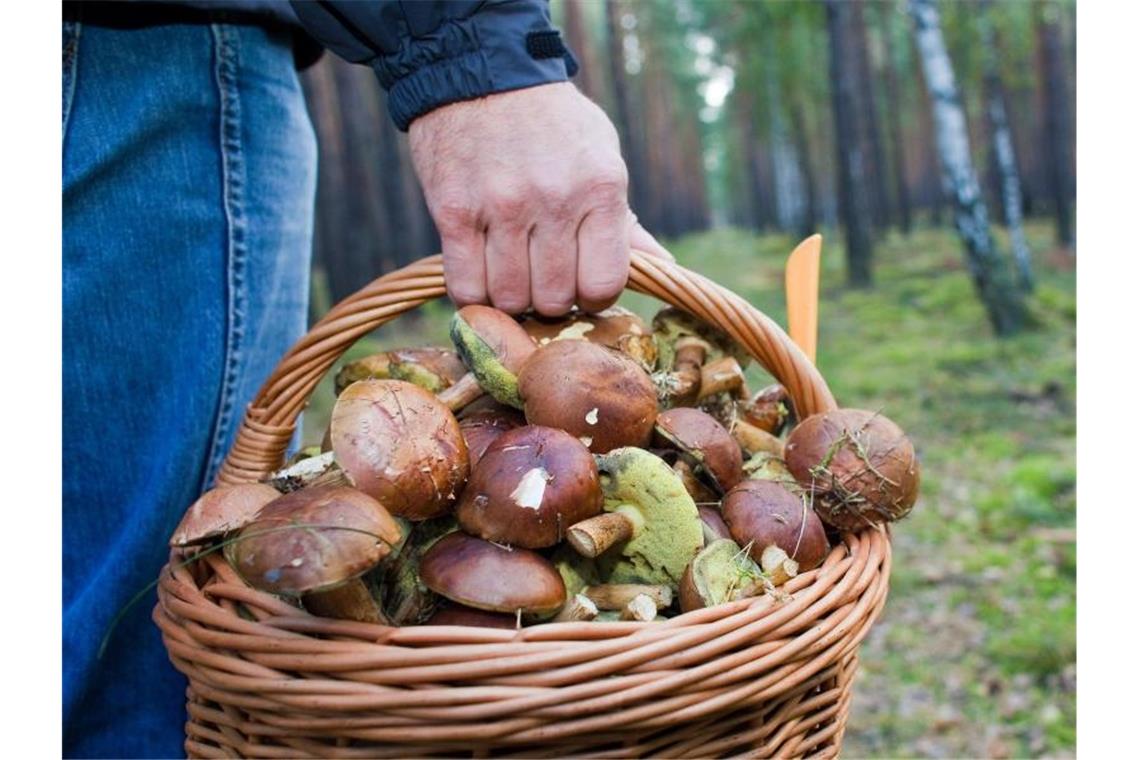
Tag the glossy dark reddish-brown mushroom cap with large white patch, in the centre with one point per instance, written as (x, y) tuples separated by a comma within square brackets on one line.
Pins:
[(531, 486)]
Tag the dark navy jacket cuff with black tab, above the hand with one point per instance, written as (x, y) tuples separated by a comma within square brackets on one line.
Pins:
[(503, 47)]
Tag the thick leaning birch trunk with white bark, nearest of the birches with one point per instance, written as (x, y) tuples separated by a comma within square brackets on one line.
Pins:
[(1003, 300)]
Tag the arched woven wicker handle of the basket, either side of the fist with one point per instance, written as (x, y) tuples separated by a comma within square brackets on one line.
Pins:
[(272, 418)]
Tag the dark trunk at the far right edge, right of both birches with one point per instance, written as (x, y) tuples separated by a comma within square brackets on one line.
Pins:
[(1058, 134)]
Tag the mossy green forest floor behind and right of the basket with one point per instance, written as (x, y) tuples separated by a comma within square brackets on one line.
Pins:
[(975, 655)]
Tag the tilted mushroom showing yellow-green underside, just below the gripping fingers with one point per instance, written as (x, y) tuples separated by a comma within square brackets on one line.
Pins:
[(494, 348)]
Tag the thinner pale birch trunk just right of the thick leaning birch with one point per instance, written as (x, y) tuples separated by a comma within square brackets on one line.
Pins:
[(1003, 153)]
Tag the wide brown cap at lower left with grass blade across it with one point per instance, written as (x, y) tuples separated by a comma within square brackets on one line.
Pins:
[(313, 540)]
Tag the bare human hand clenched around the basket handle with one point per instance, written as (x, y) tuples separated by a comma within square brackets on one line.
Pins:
[(528, 192)]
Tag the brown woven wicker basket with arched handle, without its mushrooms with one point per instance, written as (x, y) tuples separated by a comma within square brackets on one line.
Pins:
[(758, 677)]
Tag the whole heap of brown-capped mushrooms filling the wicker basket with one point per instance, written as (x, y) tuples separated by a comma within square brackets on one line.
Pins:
[(592, 468)]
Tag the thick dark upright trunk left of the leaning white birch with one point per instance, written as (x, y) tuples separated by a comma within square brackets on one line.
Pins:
[(850, 160)]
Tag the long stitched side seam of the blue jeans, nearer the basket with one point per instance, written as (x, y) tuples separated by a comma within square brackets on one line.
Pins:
[(227, 62)]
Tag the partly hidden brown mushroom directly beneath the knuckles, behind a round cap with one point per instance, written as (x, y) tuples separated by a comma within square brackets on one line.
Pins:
[(615, 329)]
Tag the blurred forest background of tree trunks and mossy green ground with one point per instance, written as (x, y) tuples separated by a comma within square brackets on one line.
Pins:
[(934, 146)]
